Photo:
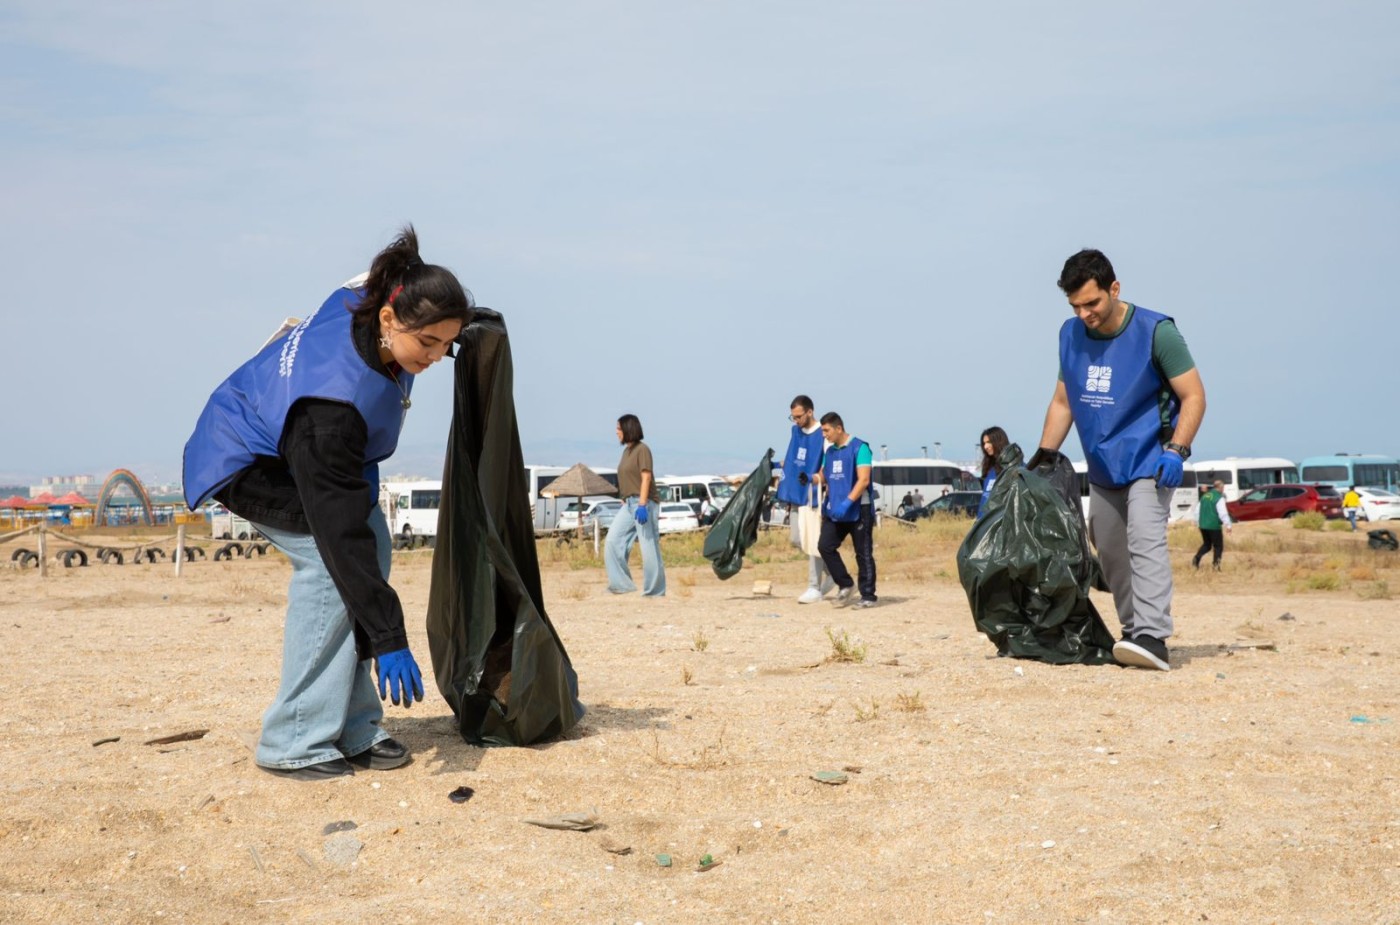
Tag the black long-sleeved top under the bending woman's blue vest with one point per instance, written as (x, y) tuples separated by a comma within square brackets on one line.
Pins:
[(317, 486)]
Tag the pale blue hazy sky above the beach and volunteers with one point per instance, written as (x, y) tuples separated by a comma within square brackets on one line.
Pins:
[(695, 212)]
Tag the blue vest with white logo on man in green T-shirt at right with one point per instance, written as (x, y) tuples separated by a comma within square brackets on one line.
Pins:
[(1115, 397)]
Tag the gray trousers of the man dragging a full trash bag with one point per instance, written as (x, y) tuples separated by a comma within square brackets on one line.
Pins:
[(1128, 527)]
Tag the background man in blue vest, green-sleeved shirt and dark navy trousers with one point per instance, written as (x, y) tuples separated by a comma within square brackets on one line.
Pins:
[(848, 511)]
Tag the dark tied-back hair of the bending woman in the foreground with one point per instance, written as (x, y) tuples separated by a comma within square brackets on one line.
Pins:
[(421, 293)]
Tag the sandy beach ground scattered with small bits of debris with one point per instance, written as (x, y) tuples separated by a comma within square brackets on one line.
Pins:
[(1255, 783)]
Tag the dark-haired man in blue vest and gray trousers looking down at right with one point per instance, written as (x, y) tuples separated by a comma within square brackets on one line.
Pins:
[(1132, 391)]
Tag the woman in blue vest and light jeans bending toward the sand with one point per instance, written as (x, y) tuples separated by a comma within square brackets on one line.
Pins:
[(293, 442)]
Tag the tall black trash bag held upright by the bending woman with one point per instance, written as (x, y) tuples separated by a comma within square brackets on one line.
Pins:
[(498, 660)]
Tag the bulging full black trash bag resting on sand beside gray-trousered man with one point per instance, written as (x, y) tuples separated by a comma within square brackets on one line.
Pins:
[(1028, 570)]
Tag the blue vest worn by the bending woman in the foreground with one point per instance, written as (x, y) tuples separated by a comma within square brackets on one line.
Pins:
[(317, 360)]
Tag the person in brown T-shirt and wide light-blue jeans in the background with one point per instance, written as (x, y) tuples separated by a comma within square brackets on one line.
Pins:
[(636, 521)]
